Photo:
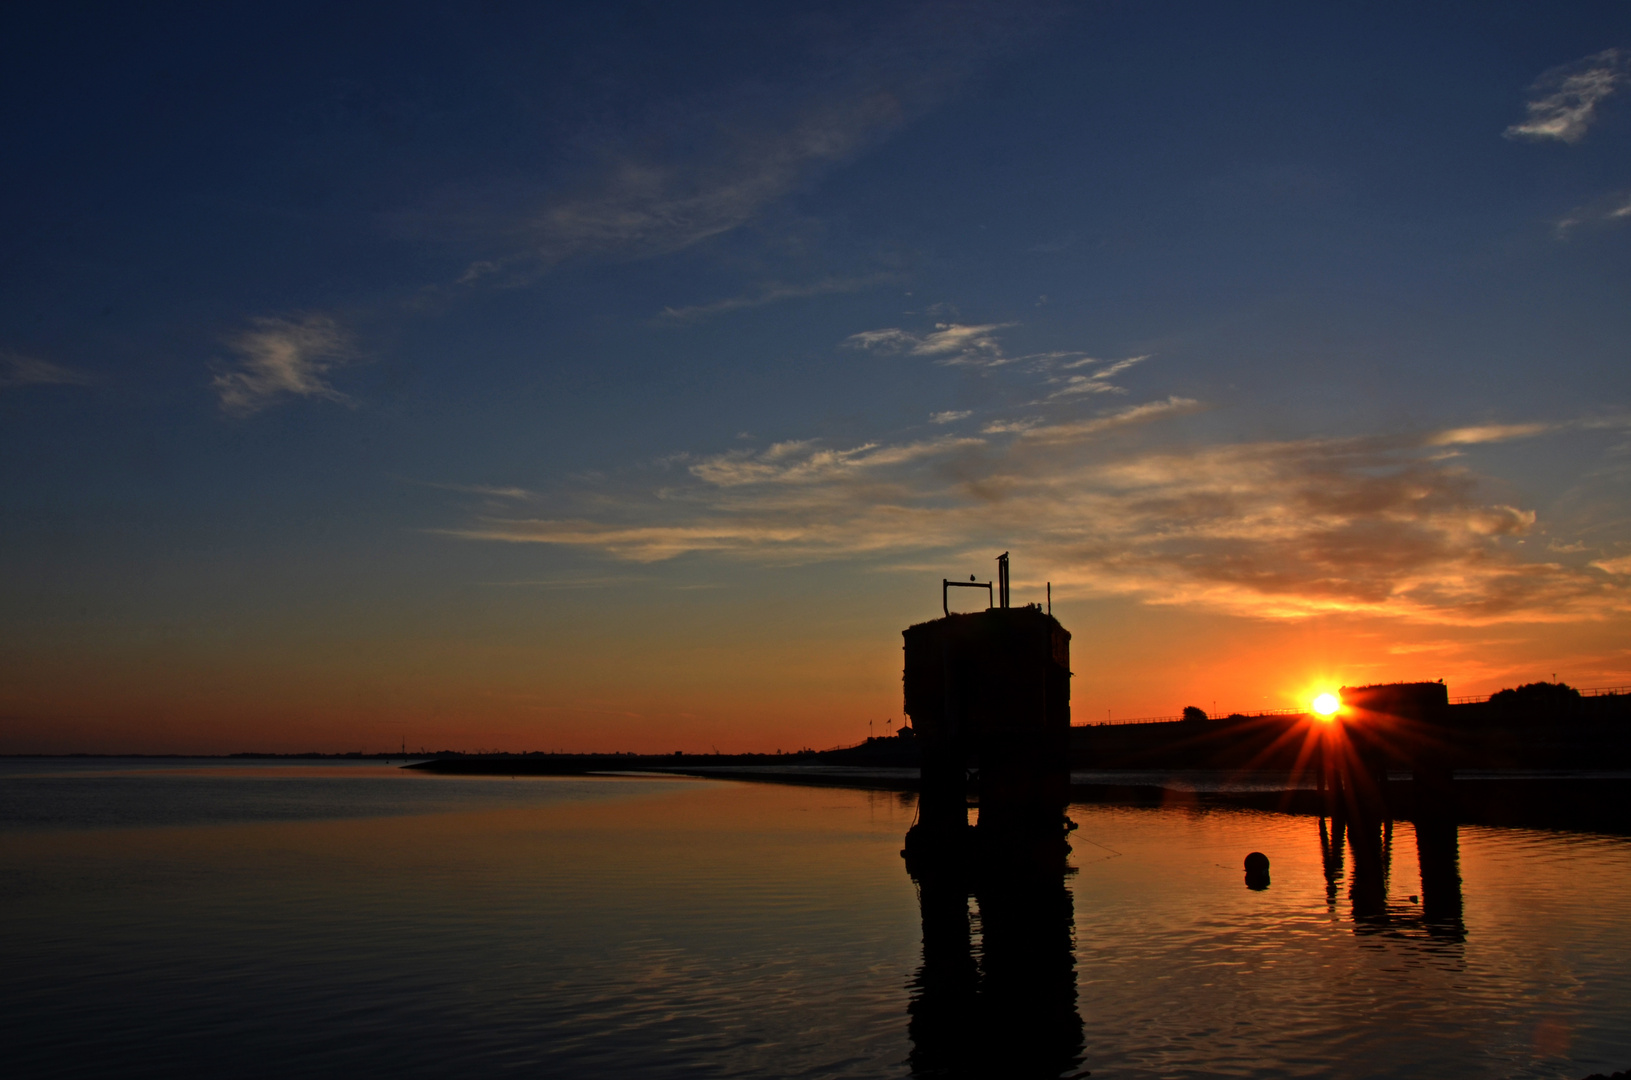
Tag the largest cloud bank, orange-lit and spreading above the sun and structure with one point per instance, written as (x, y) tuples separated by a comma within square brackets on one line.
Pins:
[(1284, 529)]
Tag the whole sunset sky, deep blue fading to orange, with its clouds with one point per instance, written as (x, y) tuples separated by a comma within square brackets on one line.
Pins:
[(627, 378)]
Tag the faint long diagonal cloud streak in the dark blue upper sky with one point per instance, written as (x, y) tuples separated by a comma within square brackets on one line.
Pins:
[(741, 149)]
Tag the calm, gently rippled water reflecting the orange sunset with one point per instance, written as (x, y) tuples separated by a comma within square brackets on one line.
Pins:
[(260, 919)]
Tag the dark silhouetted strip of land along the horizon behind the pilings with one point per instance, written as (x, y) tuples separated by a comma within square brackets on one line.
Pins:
[(1482, 753)]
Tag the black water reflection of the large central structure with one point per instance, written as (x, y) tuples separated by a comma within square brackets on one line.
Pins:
[(996, 996)]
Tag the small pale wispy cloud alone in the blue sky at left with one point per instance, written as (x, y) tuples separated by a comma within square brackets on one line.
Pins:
[(283, 358)]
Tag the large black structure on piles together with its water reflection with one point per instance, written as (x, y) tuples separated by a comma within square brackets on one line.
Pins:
[(989, 696)]
